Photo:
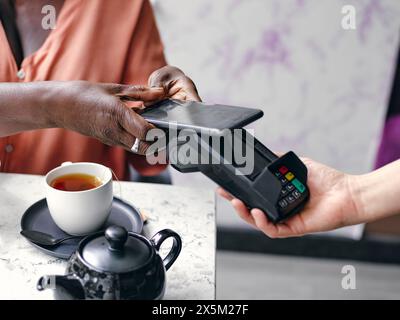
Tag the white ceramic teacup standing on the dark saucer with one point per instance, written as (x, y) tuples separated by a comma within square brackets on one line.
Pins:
[(80, 212)]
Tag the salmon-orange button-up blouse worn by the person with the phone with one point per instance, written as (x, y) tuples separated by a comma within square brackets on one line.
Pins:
[(94, 40)]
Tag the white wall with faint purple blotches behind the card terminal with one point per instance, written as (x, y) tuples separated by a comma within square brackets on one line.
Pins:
[(323, 89)]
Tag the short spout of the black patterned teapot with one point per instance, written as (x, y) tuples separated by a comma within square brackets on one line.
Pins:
[(65, 287)]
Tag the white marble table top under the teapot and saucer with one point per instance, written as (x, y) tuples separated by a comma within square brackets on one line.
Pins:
[(189, 212)]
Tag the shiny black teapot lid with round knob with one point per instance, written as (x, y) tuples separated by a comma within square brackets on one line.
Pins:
[(116, 250)]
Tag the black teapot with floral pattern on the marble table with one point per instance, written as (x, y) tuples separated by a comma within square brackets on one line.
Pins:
[(115, 265)]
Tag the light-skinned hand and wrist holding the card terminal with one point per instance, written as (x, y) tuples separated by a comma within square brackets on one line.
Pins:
[(336, 200)]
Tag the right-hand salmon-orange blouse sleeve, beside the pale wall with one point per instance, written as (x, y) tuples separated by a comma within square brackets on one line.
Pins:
[(146, 55)]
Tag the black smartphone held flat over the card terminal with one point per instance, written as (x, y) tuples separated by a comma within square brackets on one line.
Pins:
[(199, 116)]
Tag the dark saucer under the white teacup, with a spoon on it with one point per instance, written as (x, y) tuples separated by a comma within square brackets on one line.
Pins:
[(37, 217)]
